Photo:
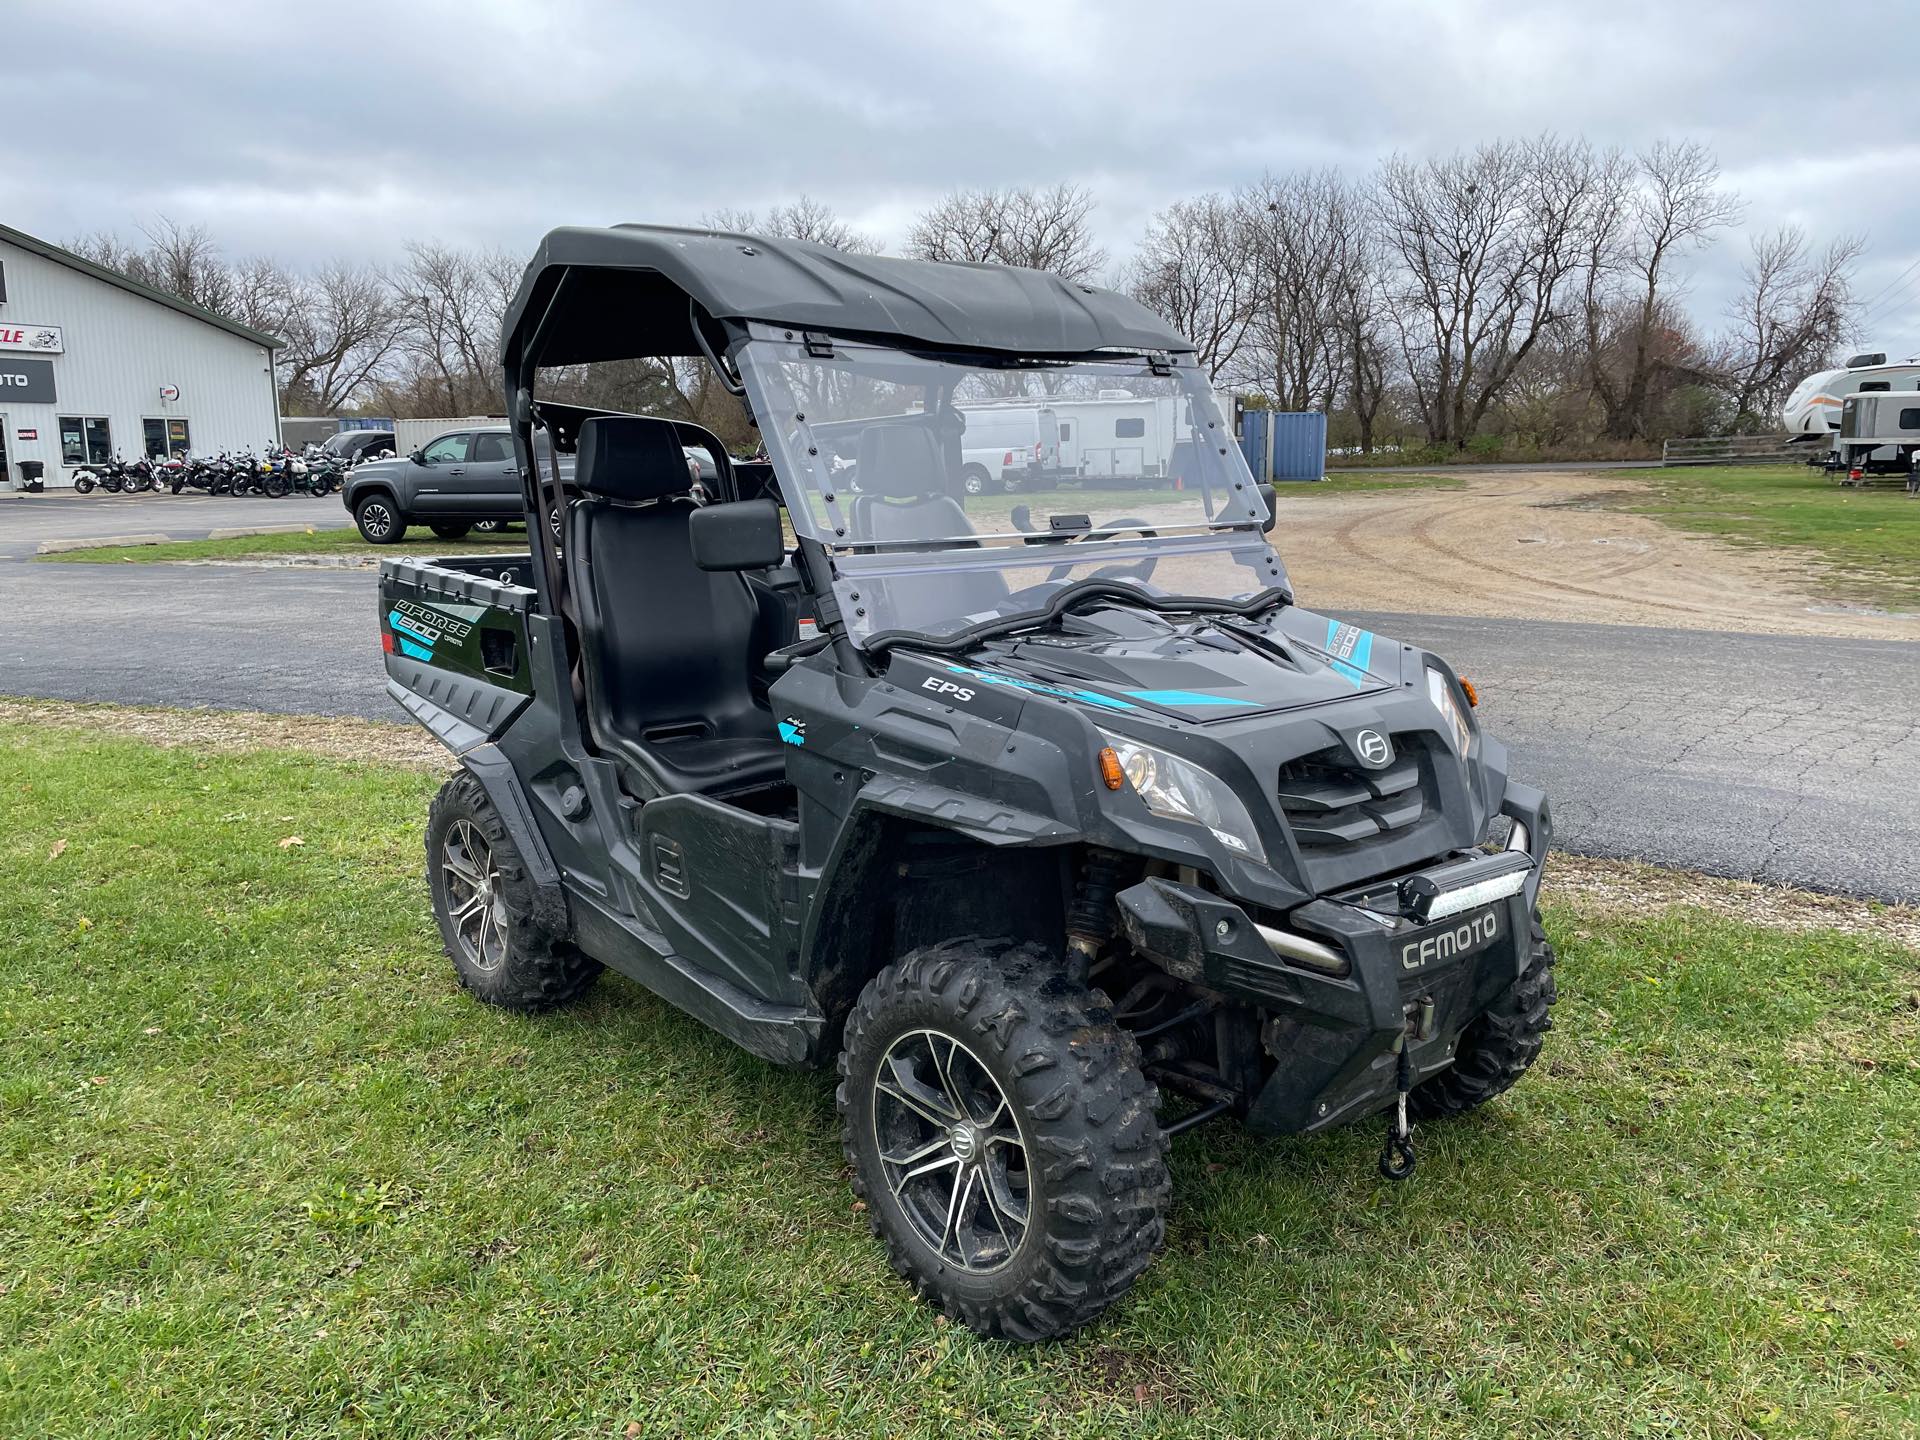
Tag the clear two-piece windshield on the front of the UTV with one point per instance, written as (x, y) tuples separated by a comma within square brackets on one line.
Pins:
[(953, 492)]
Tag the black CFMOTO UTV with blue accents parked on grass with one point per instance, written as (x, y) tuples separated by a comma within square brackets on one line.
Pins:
[(1055, 832)]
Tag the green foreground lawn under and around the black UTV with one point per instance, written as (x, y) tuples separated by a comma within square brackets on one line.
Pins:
[(264, 1170)]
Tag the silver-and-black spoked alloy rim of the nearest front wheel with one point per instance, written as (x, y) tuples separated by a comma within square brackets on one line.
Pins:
[(951, 1149)]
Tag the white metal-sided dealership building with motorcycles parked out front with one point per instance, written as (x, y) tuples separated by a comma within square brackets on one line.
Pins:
[(97, 366)]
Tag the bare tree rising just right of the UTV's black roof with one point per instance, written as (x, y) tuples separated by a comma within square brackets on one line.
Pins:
[(1191, 272)]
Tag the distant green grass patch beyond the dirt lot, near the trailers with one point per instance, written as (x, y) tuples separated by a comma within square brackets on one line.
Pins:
[(1869, 540)]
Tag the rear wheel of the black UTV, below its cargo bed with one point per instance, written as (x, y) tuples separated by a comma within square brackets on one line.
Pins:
[(487, 913)]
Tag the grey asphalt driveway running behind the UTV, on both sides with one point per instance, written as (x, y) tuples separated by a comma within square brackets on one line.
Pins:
[(1769, 757)]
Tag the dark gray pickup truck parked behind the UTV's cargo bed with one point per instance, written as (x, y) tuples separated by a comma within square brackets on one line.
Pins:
[(450, 485)]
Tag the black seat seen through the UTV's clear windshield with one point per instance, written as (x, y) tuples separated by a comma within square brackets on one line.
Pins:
[(907, 496)]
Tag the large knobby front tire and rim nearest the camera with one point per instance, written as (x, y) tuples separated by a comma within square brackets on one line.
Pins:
[(1003, 1138)]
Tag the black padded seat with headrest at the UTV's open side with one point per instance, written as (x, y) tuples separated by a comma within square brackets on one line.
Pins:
[(671, 650)]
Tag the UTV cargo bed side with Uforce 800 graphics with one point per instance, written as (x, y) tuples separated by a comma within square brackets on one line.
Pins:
[(456, 642)]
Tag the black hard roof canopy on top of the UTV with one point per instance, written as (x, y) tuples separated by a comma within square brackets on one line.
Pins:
[(623, 293)]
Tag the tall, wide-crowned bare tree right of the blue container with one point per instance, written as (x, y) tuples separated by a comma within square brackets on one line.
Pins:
[(1483, 245)]
